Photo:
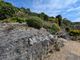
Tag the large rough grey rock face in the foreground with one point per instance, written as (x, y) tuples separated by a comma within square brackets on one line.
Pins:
[(30, 44)]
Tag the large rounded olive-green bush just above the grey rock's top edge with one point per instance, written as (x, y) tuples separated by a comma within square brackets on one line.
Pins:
[(35, 22)]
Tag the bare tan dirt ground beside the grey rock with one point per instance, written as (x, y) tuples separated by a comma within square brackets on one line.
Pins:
[(71, 51)]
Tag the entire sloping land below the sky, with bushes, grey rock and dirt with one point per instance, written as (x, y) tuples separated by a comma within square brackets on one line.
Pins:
[(27, 35)]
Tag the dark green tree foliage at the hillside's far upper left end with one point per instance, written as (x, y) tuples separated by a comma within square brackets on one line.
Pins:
[(6, 10)]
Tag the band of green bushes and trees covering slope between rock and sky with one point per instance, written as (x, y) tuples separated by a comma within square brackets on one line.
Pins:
[(12, 14)]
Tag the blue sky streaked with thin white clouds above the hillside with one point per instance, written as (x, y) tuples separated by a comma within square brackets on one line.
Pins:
[(69, 9)]
